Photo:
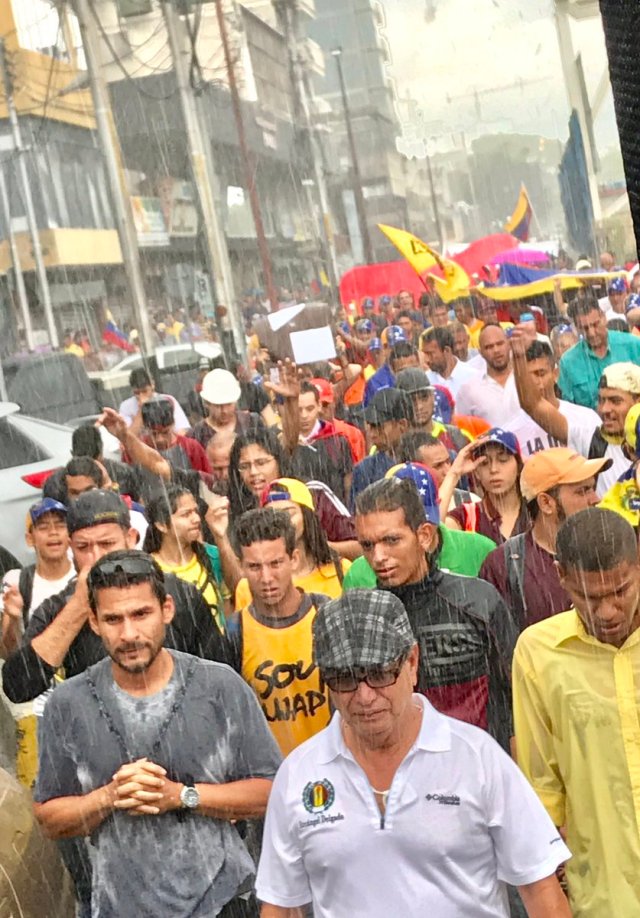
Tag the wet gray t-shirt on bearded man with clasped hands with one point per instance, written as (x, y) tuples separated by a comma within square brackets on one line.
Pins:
[(205, 725)]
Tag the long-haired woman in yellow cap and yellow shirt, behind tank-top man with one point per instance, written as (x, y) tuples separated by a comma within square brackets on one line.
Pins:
[(318, 568)]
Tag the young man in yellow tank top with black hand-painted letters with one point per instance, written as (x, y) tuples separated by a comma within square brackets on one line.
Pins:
[(271, 636)]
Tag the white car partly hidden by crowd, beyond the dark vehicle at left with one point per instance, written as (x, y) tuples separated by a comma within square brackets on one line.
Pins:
[(173, 366)]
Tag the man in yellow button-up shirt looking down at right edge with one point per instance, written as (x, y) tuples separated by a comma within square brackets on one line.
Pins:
[(576, 683)]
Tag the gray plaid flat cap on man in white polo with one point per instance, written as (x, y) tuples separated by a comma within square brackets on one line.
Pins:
[(363, 628)]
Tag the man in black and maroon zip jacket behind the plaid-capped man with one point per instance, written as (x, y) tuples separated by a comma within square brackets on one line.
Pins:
[(464, 630)]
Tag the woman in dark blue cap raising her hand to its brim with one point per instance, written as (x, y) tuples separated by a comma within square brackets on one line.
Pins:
[(496, 463)]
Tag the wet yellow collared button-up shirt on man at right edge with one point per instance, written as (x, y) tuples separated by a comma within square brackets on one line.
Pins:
[(578, 742)]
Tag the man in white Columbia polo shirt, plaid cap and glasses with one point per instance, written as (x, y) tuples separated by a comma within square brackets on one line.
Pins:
[(395, 809)]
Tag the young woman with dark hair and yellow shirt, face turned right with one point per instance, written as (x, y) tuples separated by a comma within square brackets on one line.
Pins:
[(174, 538)]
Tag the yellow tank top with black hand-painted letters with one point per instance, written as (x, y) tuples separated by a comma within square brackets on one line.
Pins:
[(278, 665)]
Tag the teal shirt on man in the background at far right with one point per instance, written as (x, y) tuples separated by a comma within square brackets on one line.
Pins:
[(580, 369)]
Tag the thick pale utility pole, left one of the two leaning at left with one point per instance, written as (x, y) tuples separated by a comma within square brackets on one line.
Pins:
[(110, 148)]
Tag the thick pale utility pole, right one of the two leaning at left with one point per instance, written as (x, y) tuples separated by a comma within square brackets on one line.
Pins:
[(204, 178)]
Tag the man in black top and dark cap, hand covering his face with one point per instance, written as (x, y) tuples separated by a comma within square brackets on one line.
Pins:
[(58, 634)]
